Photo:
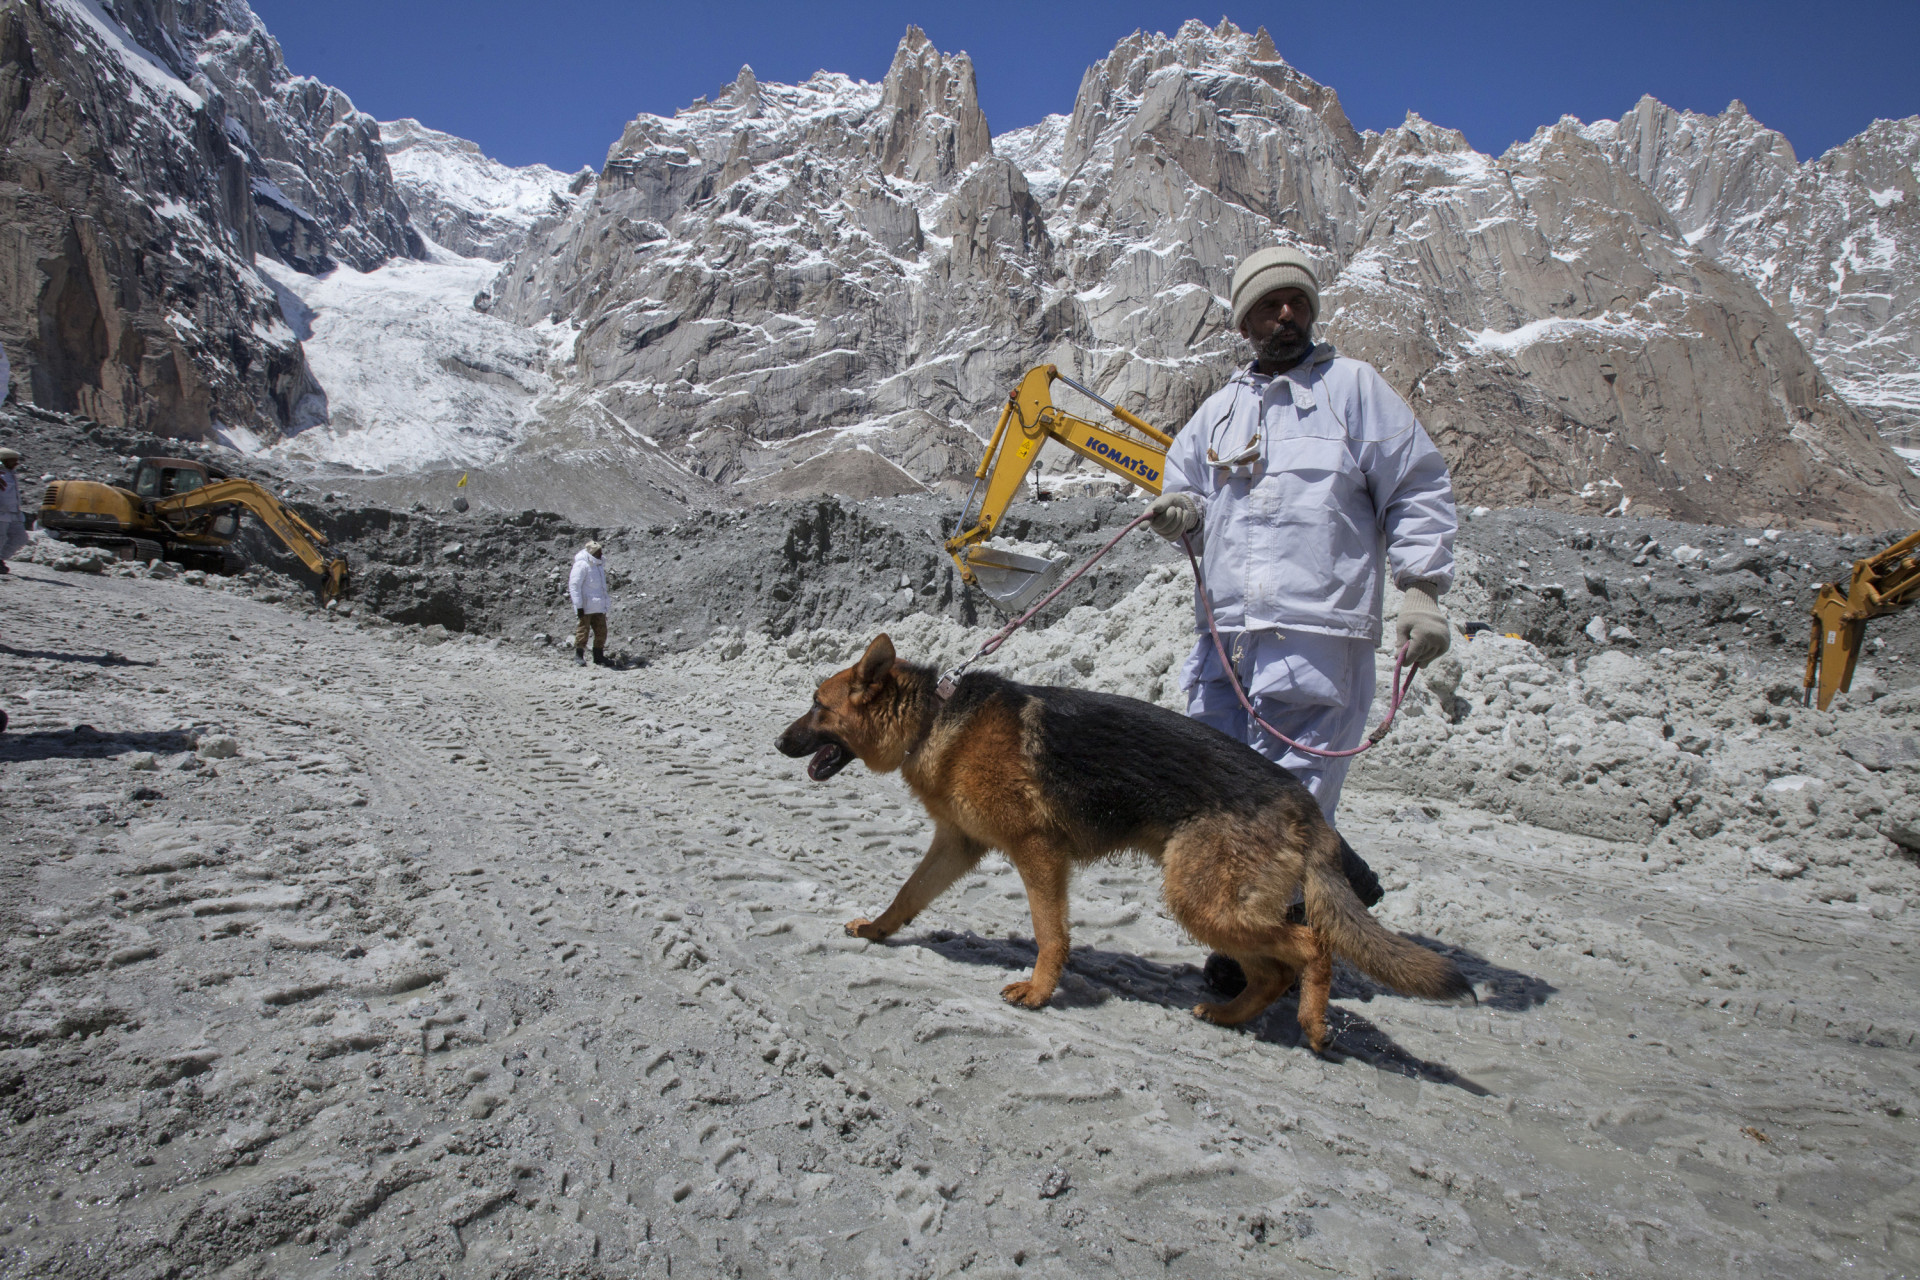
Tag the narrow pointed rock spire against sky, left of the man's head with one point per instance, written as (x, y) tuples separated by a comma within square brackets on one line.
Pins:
[(932, 126)]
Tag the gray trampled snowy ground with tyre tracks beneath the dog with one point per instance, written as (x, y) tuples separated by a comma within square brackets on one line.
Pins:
[(414, 955)]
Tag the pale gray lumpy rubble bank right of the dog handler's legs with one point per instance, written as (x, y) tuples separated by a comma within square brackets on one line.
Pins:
[(1677, 751)]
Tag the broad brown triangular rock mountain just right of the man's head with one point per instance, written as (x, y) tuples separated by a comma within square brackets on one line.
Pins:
[(1568, 348)]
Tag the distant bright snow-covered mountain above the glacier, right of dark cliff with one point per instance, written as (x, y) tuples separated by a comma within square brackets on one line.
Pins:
[(468, 202)]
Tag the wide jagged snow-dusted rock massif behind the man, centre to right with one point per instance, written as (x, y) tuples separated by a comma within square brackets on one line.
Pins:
[(794, 270)]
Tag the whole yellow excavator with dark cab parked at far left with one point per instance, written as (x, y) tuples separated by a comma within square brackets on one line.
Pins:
[(185, 511)]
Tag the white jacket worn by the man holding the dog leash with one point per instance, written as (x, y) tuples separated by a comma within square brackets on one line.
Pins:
[(1335, 477)]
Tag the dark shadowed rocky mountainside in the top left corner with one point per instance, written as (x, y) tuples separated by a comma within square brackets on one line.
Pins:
[(153, 153)]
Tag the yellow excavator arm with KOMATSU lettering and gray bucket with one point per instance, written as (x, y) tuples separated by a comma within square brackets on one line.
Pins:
[(1028, 421)]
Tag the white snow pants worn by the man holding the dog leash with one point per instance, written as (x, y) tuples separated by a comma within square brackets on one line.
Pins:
[(1297, 688)]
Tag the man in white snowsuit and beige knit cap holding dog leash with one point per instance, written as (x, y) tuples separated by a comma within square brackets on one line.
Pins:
[(1299, 479)]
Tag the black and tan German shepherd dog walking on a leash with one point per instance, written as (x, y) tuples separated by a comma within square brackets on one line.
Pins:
[(1063, 776)]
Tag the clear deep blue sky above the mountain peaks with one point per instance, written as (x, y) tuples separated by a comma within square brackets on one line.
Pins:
[(558, 82)]
